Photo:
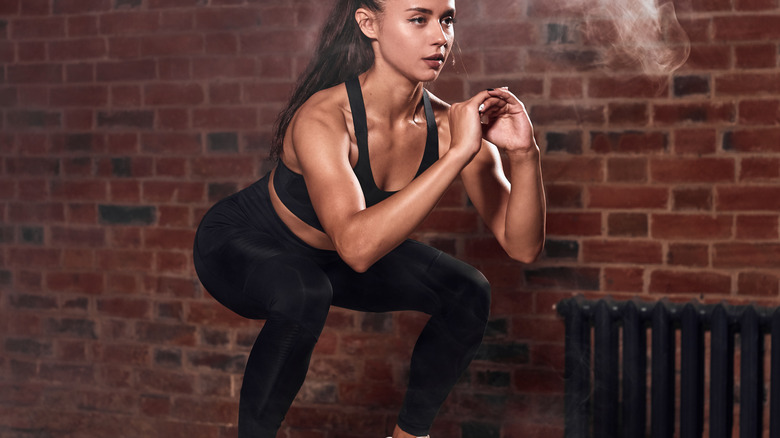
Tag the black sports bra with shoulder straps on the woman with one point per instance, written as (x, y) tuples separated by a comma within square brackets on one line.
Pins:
[(291, 188)]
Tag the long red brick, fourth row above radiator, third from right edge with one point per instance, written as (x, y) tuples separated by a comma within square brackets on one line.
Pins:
[(628, 197)]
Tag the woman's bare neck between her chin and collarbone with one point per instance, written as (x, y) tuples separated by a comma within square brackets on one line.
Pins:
[(399, 99)]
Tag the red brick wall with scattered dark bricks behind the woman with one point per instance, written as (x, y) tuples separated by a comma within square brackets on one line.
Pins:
[(122, 121)]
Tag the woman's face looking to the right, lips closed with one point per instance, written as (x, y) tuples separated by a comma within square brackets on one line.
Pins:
[(415, 36)]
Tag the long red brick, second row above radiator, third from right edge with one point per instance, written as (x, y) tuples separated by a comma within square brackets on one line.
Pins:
[(622, 251)]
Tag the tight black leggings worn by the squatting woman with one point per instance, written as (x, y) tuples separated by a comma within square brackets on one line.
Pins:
[(250, 262)]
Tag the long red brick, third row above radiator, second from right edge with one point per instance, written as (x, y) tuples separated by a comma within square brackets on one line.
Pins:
[(691, 226)]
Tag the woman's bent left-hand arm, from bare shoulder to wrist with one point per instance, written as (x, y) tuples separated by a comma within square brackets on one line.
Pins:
[(363, 235)]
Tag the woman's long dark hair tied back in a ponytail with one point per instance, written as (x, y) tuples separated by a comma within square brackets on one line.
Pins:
[(343, 52)]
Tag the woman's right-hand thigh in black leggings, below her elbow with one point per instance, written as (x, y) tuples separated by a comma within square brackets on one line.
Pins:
[(413, 276)]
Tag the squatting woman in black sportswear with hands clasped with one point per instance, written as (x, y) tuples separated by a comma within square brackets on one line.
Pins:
[(364, 154)]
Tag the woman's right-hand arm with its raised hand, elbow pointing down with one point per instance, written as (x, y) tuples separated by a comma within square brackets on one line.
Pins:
[(515, 212)]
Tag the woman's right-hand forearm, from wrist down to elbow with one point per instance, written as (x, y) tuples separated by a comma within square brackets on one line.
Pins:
[(524, 226)]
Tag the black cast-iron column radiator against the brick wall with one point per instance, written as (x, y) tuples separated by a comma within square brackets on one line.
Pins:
[(604, 399)]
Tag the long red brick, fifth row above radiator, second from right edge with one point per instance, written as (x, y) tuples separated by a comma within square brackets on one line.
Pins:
[(692, 170)]
